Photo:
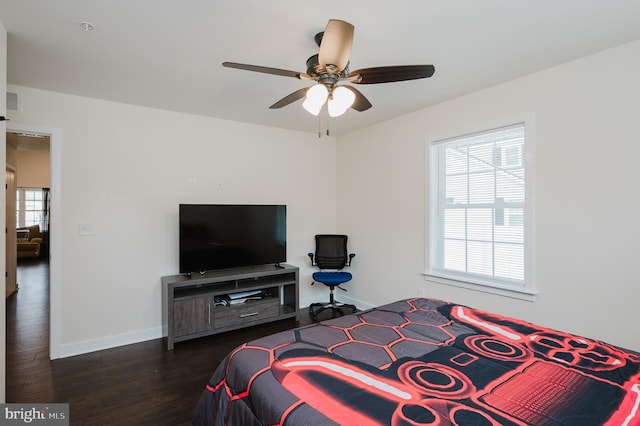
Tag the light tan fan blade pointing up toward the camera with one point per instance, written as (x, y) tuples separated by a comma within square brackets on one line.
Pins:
[(335, 48)]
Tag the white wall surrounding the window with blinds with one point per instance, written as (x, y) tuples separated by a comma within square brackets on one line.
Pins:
[(586, 171)]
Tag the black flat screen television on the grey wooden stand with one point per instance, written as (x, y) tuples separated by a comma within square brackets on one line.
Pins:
[(224, 236)]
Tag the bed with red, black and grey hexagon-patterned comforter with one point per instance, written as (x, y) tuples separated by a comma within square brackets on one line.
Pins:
[(422, 362)]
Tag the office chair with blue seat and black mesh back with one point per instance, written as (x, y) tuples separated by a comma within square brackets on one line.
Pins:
[(331, 257)]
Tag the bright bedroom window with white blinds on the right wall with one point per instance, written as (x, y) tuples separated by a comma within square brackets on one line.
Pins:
[(477, 217)]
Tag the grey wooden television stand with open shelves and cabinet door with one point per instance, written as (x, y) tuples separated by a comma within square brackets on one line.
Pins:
[(229, 299)]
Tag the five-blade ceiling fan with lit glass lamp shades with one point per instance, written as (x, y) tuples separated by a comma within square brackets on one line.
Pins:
[(330, 67)]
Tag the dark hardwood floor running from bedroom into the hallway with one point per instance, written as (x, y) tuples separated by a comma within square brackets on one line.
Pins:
[(135, 384)]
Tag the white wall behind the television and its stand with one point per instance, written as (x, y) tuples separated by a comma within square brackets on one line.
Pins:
[(125, 169)]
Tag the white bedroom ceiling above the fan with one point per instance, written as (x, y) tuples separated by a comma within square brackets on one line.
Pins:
[(168, 54)]
